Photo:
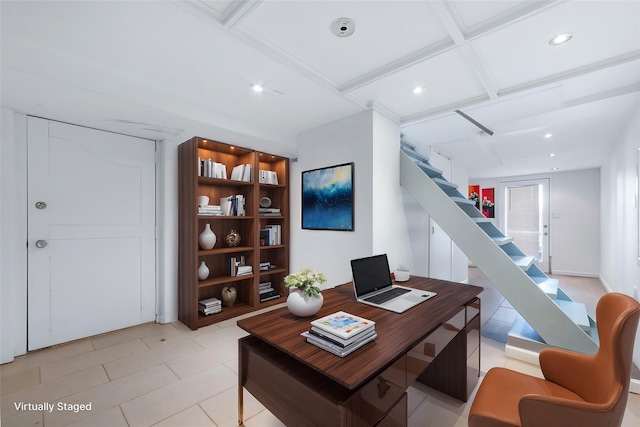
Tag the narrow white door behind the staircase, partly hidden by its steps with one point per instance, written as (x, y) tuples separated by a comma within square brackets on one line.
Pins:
[(440, 245)]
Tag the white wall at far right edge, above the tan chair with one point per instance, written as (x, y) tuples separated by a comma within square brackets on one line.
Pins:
[(619, 259)]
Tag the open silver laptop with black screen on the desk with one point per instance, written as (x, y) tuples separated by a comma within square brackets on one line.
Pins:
[(372, 285)]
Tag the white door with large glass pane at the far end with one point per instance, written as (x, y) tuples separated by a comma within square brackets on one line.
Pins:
[(525, 217)]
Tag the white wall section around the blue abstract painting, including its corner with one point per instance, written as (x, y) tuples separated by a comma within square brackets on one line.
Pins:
[(371, 141)]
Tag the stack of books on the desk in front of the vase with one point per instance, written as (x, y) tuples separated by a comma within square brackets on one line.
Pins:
[(340, 333)]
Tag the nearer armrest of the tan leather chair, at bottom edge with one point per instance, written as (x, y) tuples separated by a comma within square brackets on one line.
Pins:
[(549, 411)]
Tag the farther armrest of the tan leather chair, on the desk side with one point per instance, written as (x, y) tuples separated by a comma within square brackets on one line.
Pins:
[(568, 369)]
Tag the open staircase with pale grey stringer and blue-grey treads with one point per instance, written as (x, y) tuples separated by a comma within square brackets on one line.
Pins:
[(547, 316)]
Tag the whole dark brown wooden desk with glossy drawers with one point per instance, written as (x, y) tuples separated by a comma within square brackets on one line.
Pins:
[(304, 385)]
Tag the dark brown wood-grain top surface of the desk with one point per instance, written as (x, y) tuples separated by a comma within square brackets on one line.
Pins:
[(397, 332)]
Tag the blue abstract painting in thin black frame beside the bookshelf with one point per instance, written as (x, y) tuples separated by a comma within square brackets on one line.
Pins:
[(327, 198)]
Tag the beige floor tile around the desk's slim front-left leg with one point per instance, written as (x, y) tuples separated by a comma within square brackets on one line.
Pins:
[(223, 408)]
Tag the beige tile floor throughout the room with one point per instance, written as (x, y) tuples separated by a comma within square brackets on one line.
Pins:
[(168, 375)]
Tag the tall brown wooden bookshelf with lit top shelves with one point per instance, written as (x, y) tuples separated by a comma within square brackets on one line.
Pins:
[(191, 184)]
